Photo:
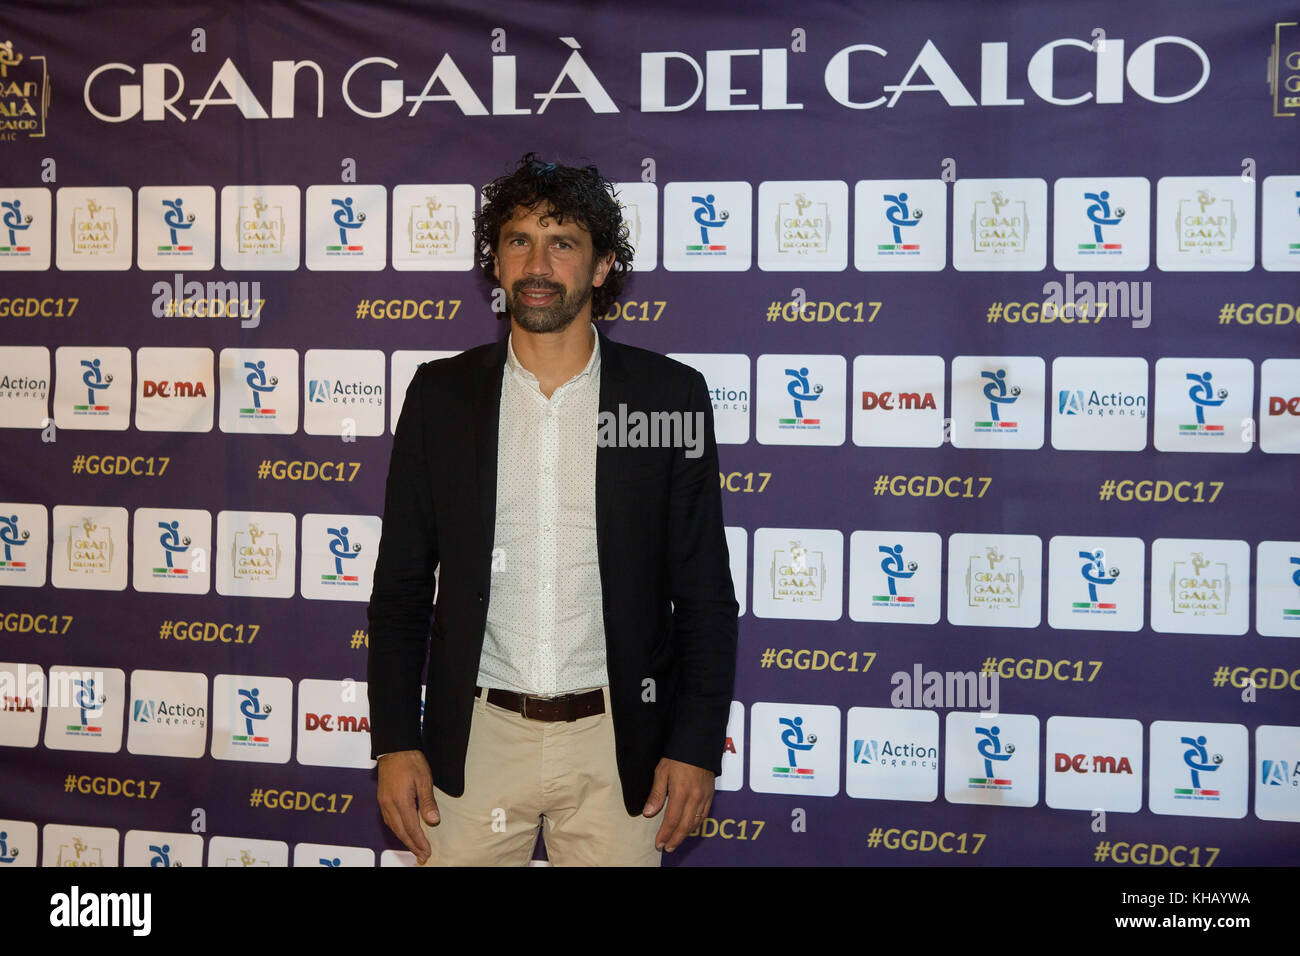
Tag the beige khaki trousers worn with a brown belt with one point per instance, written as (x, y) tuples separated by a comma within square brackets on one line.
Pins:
[(526, 775)]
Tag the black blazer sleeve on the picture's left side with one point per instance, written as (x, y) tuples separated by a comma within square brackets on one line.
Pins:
[(402, 596)]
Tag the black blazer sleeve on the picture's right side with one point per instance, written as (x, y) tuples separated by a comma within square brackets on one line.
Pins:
[(704, 599)]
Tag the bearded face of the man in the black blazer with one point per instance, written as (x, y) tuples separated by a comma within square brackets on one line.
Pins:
[(548, 270)]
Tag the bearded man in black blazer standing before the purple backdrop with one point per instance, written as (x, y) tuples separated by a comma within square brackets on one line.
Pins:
[(583, 648)]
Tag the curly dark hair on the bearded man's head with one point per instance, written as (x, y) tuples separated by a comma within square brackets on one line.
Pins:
[(570, 193)]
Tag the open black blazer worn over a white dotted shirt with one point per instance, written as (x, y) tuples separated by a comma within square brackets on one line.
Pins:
[(670, 608)]
